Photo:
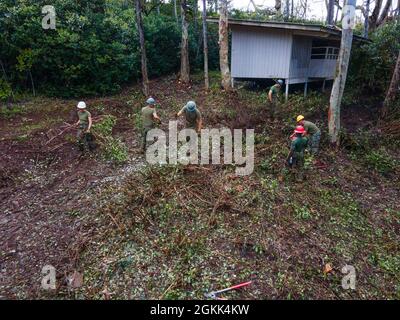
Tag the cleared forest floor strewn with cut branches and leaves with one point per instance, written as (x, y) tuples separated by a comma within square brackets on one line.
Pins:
[(136, 231)]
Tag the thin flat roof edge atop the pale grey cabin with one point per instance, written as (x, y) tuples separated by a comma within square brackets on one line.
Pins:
[(315, 28)]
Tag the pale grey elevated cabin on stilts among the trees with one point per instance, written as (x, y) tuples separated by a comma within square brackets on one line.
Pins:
[(295, 52)]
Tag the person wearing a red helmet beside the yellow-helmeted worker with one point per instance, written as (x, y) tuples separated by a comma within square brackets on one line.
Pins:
[(295, 157)]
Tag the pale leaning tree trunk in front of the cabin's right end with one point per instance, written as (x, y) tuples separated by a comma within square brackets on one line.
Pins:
[(340, 77)]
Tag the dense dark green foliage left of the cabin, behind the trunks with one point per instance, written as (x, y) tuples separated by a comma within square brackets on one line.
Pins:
[(94, 49)]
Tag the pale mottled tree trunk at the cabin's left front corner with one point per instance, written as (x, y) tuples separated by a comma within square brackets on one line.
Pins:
[(224, 45)]
